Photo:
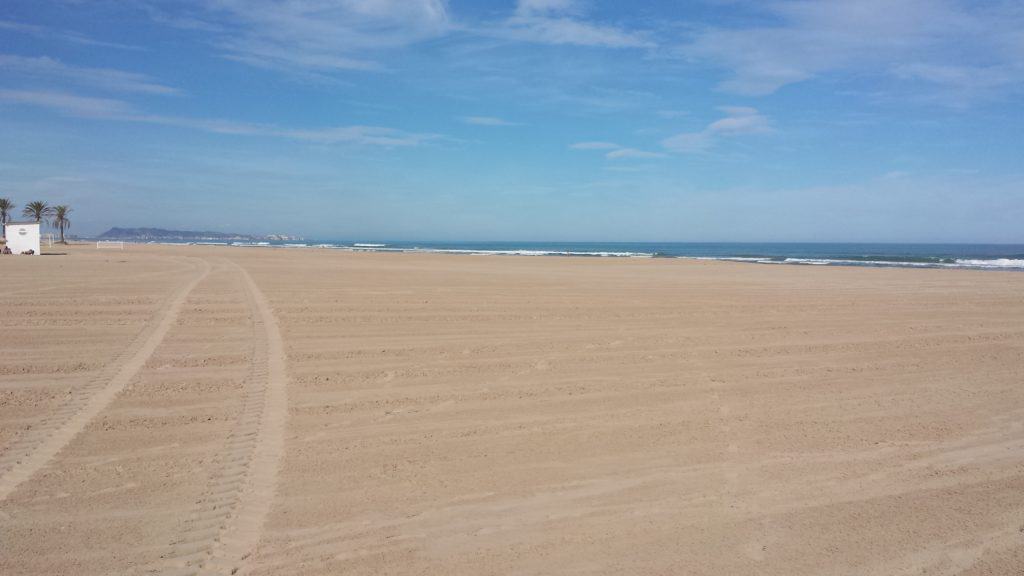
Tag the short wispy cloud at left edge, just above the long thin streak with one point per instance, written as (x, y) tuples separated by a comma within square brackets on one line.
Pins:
[(109, 79)]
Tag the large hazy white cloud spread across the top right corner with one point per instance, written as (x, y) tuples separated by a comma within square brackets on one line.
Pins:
[(951, 44)]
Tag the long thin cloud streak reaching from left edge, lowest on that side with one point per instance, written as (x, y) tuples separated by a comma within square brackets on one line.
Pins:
[(108, 109)]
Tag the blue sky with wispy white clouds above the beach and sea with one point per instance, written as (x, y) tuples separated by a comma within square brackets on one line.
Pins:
[(560, 120)]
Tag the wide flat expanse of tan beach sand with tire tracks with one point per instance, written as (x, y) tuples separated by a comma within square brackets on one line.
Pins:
[(210, 410)]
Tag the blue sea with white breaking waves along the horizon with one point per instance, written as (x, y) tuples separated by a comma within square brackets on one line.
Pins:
[(976, 257)]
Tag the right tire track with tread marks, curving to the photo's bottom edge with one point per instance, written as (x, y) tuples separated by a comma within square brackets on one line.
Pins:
[(226, 524)]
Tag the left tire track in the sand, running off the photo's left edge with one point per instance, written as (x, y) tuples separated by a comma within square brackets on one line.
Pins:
[(29, 454)]
